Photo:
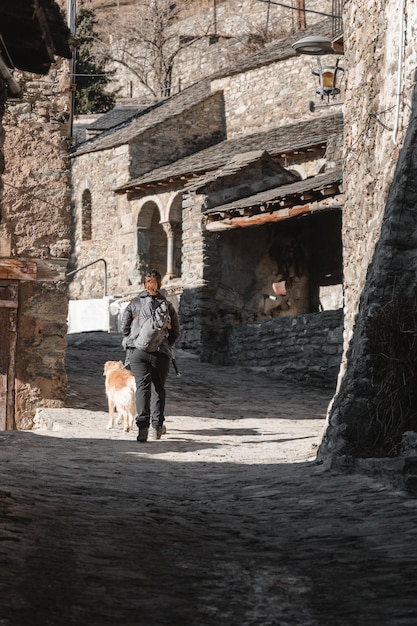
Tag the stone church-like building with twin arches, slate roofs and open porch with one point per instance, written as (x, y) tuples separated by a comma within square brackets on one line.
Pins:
[(233, 190)]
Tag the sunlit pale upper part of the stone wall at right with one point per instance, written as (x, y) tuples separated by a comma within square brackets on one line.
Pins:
[(378, 67)]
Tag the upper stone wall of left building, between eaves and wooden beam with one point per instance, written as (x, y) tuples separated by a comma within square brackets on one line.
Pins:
[(36, 177)]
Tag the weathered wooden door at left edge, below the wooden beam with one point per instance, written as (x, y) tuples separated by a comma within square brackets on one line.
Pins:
[(8, 331)]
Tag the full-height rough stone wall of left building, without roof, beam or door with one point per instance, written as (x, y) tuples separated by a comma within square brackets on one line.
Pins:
[(35, 225)]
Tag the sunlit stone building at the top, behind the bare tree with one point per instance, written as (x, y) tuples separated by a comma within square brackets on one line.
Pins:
[(203, 38)]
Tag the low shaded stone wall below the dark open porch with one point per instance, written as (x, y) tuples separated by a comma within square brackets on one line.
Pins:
[(306, 348)]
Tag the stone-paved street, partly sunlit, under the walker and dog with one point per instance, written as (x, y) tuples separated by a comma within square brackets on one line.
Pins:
[(227, 521)]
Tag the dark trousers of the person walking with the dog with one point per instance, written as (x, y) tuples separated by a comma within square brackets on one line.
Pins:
[(150, 370)]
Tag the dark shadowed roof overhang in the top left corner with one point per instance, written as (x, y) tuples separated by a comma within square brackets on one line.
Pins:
[(32, 34)]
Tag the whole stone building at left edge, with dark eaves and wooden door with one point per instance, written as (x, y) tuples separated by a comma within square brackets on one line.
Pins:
[(35, 216)]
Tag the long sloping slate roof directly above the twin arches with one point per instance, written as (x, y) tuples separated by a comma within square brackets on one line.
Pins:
[(302, 136)]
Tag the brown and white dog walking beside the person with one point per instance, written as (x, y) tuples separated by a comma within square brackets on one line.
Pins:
[(121, 394)]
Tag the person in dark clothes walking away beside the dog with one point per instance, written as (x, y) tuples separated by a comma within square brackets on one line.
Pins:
[(150, 368)]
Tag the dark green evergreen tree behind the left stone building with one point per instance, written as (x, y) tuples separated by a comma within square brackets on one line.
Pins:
[(90, 76)]
